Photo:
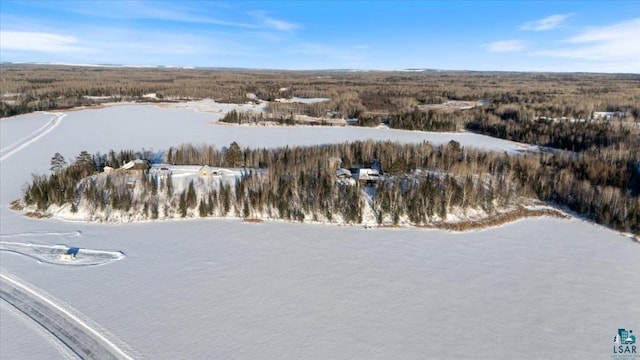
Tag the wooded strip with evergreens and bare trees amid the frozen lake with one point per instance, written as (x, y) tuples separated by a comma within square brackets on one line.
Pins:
[(422, 183)]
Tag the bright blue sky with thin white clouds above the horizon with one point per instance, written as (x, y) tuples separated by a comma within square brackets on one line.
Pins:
[(593, 36)]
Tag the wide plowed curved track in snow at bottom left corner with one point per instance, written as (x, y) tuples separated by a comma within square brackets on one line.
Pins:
[(84, 339)]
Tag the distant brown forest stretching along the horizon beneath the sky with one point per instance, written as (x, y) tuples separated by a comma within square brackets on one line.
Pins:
[(513, 96)]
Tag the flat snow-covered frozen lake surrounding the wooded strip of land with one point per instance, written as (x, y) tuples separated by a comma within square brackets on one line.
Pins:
[(539, 288)]
